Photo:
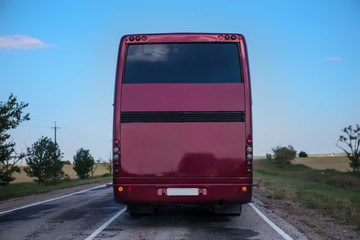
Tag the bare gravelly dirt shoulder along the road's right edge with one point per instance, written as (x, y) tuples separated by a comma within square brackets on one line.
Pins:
[(312, 223)]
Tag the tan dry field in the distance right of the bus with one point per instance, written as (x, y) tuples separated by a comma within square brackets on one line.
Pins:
[(321, 163)]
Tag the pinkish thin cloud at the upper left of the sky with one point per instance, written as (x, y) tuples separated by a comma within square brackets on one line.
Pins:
[(21, 42)]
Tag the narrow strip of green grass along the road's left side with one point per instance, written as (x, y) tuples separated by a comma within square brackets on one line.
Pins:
[(16, 190)]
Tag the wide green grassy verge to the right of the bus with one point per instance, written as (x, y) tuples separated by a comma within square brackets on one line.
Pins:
[(332, 193)]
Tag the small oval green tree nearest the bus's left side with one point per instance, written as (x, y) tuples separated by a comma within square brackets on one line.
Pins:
[(83, 163)]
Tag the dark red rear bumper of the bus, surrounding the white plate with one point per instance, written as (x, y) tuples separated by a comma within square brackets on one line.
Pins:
[(157, 193)]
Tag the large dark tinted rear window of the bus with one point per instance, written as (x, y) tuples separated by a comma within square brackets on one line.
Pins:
[(182, 63)]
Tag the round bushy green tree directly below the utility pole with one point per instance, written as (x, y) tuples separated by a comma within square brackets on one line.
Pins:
[(44, 161)]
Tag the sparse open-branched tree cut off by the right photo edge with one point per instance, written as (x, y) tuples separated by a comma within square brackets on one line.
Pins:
[(350, 145)]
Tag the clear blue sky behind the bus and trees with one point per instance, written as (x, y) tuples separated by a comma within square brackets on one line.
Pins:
[(60, 57)]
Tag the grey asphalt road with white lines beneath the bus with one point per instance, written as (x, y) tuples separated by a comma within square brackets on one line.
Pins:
[(80, 215)]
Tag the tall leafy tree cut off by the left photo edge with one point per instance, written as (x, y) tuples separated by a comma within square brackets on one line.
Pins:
[(11, 115)]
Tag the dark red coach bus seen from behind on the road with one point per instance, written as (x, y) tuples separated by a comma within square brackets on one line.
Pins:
[(182, 130)]
